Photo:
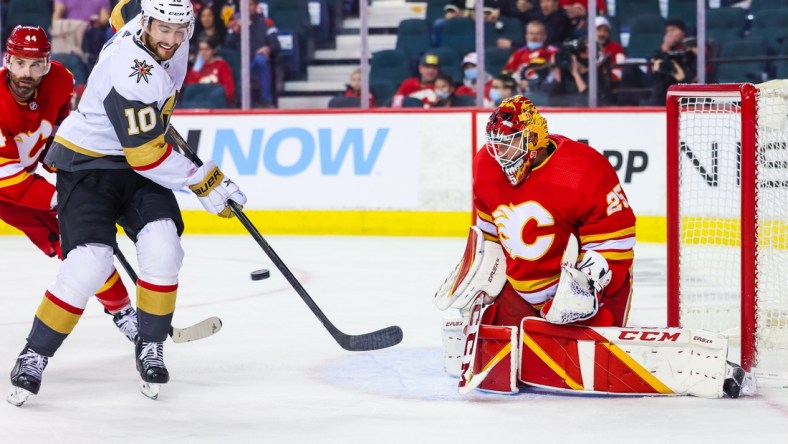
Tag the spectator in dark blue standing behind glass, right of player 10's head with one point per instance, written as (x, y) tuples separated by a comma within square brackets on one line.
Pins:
[(264, 46)]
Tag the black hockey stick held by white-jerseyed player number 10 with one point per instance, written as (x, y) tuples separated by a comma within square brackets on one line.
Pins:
[(386, 337)]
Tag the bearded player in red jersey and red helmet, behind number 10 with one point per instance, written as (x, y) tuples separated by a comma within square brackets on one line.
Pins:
[(35, 96)]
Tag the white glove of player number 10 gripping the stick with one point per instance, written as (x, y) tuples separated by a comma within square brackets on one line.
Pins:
[(215, 190)]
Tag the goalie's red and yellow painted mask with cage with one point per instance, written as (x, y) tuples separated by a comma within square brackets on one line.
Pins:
[(516, 133)]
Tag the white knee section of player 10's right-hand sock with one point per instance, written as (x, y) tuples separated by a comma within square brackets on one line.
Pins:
[(160, 252)]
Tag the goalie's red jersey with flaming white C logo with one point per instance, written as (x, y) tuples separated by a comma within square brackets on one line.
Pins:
[(574, 191)]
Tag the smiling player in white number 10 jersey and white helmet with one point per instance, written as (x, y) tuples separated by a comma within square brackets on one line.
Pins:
[(114, 166)]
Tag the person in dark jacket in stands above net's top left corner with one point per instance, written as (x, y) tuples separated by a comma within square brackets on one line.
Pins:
[(673, 63)]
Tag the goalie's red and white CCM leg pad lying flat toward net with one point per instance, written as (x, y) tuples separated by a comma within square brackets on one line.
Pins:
[(668, 361)]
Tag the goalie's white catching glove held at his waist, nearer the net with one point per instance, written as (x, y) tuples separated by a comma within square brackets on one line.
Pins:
[(579, 288)]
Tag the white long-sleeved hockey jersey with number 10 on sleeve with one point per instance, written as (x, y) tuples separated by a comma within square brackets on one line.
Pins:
[(124, 112)]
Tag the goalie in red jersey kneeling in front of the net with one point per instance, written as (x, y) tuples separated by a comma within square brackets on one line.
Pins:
[(543, 289)]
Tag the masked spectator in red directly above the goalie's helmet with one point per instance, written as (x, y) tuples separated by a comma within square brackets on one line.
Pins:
[(530, 65)]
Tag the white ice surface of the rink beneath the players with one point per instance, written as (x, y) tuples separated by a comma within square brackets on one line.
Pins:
[(274, 375)]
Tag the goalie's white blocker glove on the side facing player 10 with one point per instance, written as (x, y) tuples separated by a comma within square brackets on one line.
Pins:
[(482, 269)]
